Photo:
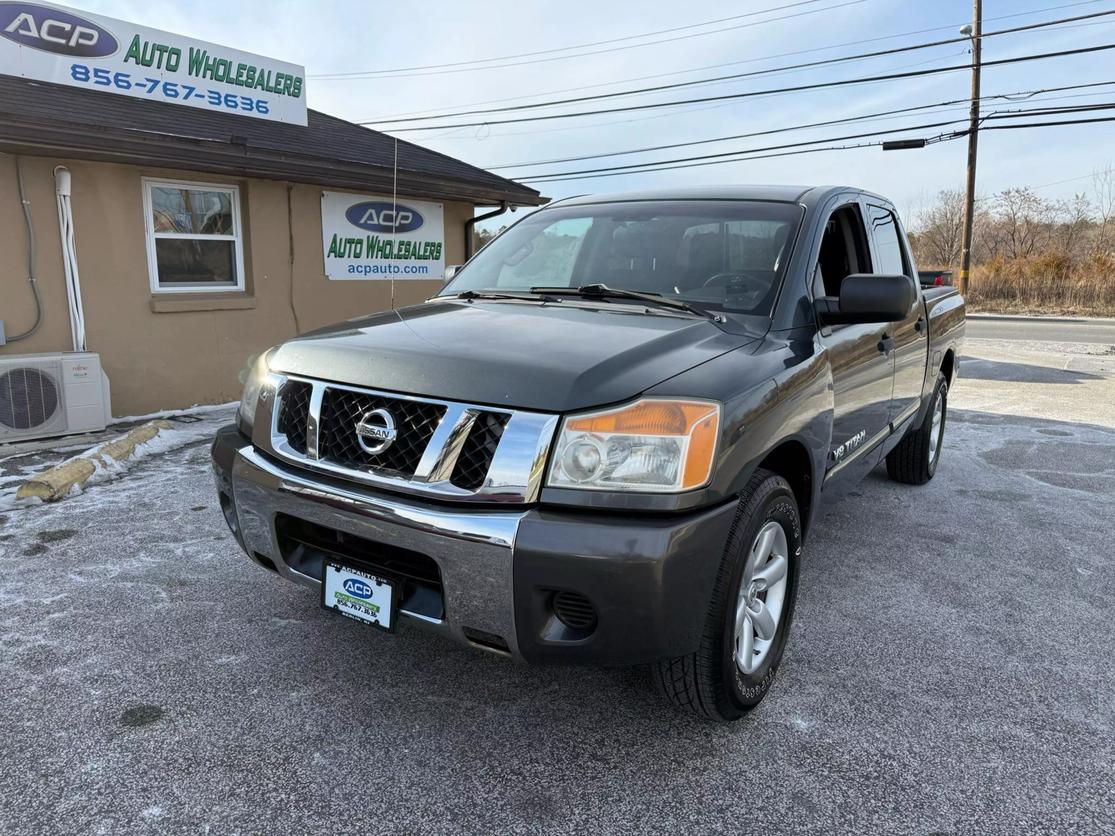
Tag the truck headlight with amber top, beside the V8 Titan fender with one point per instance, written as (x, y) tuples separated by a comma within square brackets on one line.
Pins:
[(655, 446)]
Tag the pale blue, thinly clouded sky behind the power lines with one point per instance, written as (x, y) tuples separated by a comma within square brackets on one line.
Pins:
[(348, 36)]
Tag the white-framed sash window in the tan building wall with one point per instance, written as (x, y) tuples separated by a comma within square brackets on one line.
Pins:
[(195, 241)]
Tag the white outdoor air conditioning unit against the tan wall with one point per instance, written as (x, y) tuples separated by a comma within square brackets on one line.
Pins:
[(53, 395)]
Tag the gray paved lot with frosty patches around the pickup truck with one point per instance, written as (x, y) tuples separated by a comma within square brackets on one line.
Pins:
[(949, 672)]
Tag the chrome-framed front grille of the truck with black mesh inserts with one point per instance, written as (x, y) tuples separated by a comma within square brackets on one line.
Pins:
[(447, 450)]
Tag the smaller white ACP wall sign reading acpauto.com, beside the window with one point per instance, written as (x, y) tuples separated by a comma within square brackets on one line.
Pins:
[(367, 237)]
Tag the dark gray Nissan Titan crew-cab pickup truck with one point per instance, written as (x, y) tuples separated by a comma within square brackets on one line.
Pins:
[(605, 441)]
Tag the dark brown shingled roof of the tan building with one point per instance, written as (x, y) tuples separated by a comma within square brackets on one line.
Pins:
[(38, 118)]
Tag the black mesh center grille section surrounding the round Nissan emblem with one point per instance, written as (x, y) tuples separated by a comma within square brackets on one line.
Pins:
[(342, 410)]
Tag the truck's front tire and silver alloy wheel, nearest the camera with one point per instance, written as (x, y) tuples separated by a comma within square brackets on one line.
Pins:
[(711, 682)]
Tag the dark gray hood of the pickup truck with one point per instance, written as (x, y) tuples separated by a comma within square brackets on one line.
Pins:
[(552, 358)]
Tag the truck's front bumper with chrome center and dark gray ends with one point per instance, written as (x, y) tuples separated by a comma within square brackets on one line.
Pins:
[(647, 579)]
